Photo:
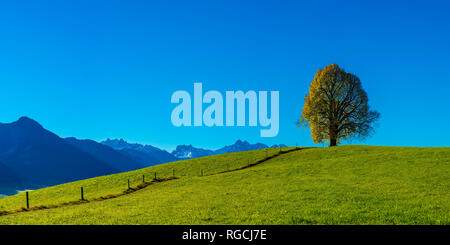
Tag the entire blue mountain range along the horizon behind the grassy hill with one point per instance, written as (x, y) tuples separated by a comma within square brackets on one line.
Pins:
[(33, 157)]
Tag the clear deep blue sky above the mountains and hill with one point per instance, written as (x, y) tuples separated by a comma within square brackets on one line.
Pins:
[(107, 69)]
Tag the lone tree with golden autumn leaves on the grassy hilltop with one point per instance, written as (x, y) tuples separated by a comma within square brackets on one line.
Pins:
[(336, 107)]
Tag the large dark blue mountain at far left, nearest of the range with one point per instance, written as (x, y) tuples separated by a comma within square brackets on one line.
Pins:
[(36, 157)]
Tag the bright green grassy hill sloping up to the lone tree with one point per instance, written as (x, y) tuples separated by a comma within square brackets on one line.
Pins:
[(340, 185)]
